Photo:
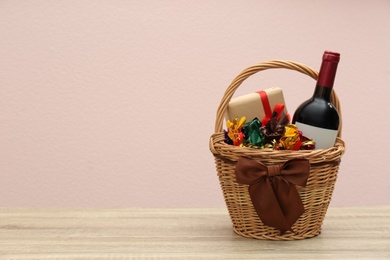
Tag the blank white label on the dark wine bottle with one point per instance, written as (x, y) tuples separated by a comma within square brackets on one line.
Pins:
[(324, 138)]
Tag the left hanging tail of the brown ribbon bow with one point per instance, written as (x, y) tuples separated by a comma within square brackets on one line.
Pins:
[(267, 206)]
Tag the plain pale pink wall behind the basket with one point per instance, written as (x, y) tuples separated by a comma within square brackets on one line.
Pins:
[(111, 103)]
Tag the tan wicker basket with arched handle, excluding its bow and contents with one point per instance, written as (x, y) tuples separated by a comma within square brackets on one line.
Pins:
[(316, 196)]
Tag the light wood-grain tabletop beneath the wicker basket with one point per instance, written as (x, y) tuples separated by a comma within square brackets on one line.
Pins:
[(348, 233)]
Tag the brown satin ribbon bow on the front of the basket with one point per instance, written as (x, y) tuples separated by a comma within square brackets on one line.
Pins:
[(272, 190)]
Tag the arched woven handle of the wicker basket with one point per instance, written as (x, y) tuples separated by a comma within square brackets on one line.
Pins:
[(273, 64)]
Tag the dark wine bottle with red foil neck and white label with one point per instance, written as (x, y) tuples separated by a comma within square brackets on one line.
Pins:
[(317, 117)]
